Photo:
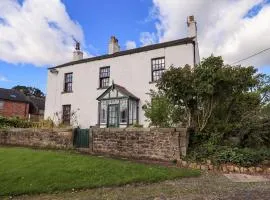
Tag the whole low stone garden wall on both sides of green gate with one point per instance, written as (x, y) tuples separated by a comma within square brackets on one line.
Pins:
[(140, 143)]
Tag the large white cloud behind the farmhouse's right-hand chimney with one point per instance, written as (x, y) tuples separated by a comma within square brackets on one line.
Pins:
[(222, 27)]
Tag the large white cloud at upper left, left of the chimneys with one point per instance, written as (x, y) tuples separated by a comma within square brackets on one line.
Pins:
[(37, 32)]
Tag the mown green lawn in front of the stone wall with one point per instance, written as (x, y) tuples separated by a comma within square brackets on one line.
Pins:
[(28, 171)]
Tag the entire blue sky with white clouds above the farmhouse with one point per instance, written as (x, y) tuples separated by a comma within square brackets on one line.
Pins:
[(140, 21)]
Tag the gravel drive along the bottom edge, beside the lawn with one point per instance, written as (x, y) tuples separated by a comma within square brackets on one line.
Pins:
[(208, 186)]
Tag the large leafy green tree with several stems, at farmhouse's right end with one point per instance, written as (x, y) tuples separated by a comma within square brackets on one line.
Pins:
[(208, 88)]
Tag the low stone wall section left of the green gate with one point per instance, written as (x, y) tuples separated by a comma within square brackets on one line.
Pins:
[(47, 138)]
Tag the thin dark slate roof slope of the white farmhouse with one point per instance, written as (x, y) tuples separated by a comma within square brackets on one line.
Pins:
[(130, 51)]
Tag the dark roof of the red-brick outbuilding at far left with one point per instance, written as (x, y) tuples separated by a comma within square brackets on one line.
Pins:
[(12, 95)]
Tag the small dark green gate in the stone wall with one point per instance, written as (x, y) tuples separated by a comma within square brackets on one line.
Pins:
[(81, 138)]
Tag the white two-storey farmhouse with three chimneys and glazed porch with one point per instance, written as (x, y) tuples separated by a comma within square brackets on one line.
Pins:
[(110, 90)]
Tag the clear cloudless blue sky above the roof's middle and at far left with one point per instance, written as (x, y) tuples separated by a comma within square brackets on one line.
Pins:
[(100, 19)]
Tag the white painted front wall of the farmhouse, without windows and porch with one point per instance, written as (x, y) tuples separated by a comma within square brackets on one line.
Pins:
[(130, 71)]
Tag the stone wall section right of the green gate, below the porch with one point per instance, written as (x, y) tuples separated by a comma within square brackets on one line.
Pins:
[(140, 143)]
